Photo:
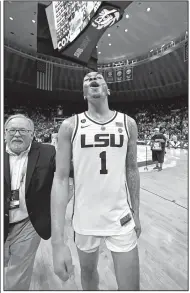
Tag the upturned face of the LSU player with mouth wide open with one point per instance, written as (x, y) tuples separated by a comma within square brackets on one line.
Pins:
[(94, 86)]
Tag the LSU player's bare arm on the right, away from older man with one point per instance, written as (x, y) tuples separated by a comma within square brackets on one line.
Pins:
[(132, 172)]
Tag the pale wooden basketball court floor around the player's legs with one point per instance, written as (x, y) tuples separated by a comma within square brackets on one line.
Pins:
[(163, 244)]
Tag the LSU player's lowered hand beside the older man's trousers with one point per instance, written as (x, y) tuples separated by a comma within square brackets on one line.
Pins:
[(62, 262)]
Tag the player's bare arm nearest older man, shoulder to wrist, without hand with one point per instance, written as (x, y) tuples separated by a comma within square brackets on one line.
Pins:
[(60, 188)]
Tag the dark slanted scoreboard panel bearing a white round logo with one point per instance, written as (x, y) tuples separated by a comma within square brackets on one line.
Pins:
[(108, 14)]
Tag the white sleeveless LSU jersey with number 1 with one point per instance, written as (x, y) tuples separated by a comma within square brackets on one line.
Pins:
[(101, 196)]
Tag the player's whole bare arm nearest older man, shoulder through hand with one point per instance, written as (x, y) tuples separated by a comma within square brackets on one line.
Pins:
[(59, 199)]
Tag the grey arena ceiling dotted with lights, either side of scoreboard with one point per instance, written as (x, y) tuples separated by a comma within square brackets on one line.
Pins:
[(137, 33)]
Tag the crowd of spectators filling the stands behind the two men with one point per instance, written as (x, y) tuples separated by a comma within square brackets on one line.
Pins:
[(172, 119)]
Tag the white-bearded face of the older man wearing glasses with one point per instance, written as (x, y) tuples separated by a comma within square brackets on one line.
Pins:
[(18, 141)]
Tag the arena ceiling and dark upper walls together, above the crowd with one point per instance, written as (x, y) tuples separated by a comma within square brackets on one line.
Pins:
[(155, 46)]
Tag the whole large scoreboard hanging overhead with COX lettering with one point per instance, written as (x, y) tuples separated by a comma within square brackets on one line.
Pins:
[(70, 30)]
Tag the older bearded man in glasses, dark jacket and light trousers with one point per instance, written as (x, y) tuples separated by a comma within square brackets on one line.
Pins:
[(28, 170)]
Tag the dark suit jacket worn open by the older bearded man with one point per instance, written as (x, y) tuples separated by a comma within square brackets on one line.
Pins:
[(39, 177)]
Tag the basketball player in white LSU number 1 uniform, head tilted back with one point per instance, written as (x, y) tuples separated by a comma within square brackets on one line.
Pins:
[(106, 177)]
